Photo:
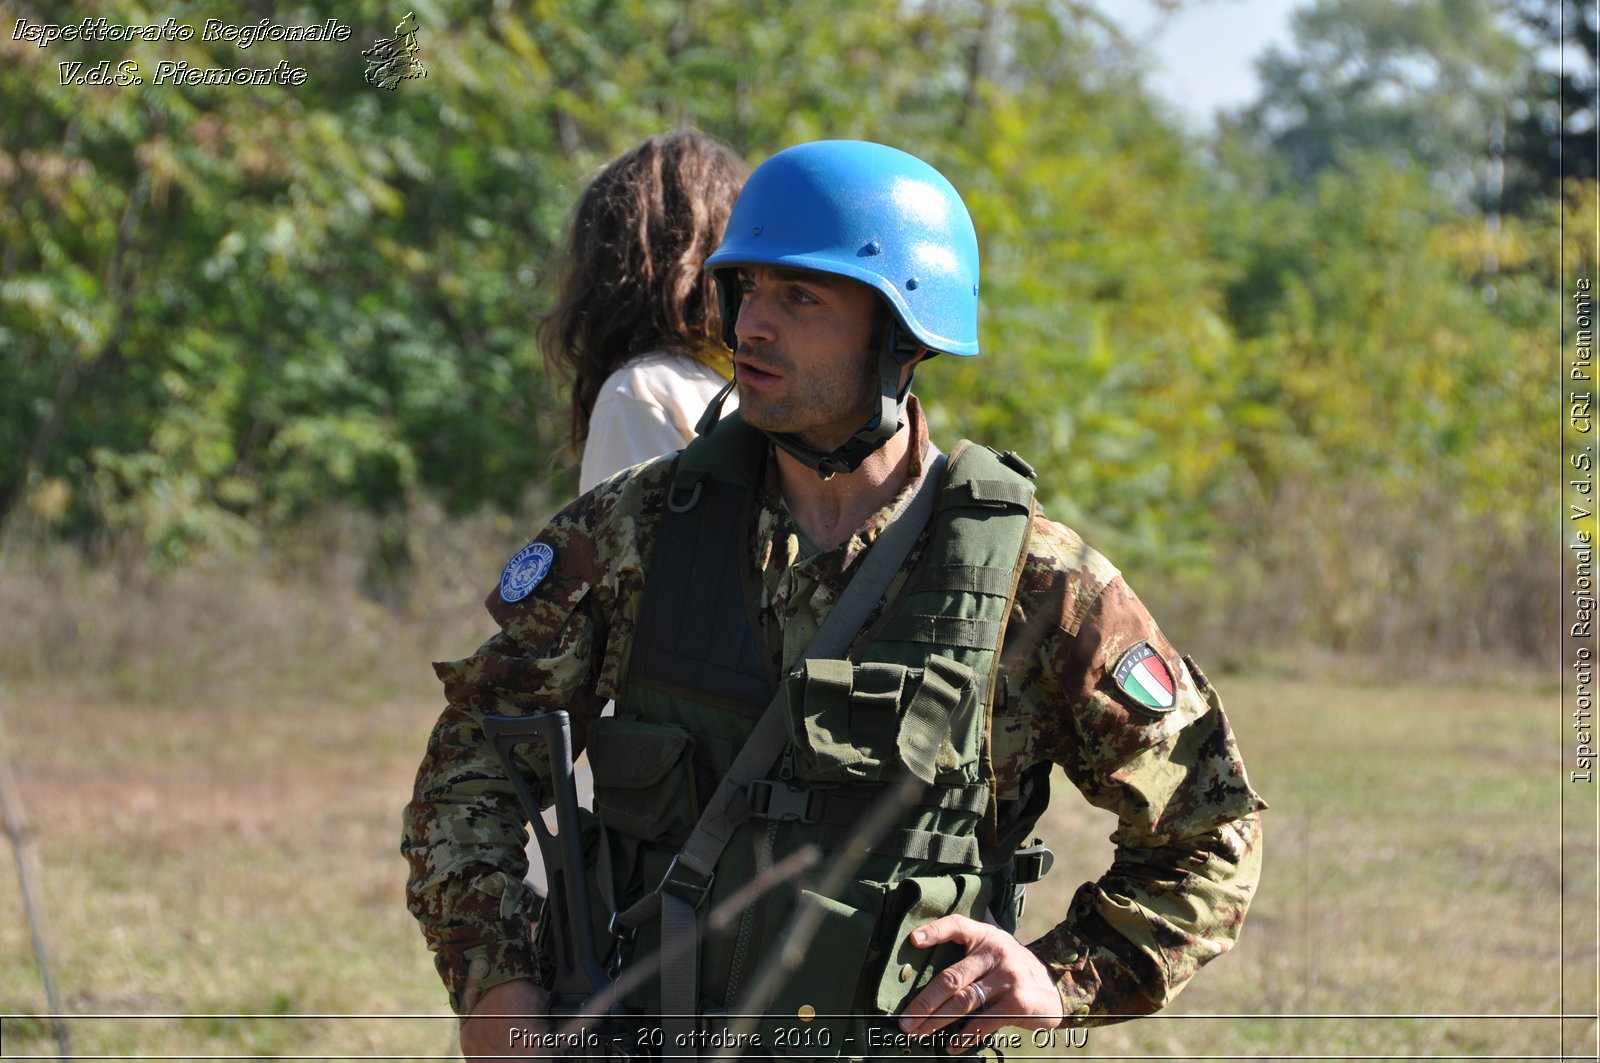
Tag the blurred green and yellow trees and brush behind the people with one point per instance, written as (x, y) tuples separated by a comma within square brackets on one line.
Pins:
[(1295, 377)]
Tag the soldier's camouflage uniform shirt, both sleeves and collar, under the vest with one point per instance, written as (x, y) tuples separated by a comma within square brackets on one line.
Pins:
[(1188, 840)]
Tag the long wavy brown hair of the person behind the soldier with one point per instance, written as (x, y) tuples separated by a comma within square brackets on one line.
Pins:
[(631, 273)]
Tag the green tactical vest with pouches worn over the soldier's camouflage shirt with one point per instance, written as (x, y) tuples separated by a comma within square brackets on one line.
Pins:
[(913, 702)]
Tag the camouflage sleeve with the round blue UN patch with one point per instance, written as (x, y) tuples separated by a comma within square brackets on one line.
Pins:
[(465, 835)]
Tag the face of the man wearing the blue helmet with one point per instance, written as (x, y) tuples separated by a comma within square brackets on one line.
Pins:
[(804, 364)]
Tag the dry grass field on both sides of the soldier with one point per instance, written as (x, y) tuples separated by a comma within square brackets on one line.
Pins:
[(225, 881)]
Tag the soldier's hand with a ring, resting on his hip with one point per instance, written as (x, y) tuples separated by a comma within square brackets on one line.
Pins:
[(998, 984)]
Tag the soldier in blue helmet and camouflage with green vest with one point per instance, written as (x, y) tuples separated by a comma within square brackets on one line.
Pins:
[(886, 820)]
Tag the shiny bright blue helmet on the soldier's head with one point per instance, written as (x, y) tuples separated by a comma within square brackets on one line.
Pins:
[(866, 212)]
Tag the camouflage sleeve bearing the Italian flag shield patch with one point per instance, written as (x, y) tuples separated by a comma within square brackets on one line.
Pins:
[(1164, 760)]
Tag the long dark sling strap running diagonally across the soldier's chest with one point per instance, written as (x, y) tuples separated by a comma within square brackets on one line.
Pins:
[(687, 884)]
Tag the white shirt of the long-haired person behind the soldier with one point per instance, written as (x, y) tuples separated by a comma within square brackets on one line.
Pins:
[(647, 409)]
